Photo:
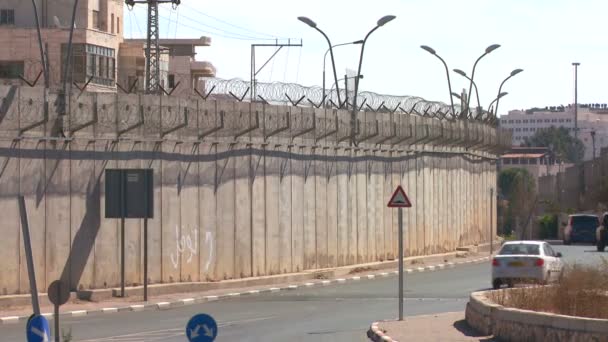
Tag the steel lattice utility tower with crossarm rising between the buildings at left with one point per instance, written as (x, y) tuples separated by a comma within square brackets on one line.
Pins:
[(152, 45)]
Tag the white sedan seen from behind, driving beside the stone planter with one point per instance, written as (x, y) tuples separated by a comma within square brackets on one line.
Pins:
[(522, 261)]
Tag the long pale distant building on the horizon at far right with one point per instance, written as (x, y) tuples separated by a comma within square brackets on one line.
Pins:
[(592, 120)]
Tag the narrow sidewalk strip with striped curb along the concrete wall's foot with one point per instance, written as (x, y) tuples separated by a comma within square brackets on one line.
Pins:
[(159, 299)]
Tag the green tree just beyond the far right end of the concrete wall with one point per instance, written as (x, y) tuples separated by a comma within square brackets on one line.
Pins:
[(517, 187)]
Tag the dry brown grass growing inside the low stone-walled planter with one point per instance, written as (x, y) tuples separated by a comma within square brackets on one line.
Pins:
[(583, 291)]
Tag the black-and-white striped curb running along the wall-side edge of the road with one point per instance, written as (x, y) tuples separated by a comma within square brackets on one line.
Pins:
[(166, 305)]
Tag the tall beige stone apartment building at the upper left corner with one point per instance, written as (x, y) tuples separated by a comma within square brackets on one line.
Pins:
[(97, 37)]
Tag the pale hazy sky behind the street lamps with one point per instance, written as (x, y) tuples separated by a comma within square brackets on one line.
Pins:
[(543, 37)]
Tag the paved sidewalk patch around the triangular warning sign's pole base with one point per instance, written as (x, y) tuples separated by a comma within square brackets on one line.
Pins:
[(444, 327)]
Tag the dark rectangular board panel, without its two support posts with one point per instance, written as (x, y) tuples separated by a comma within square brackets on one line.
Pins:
[(129, 193)]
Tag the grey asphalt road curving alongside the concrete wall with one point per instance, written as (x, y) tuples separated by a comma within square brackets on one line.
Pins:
[(340, 312)]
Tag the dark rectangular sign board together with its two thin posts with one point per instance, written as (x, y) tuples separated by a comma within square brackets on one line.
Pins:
[(130, 194)]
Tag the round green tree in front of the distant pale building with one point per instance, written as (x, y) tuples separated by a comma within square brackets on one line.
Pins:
[(562, 143)]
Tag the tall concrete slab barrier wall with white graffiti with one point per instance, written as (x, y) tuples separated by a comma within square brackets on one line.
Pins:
[(253, 198)]
